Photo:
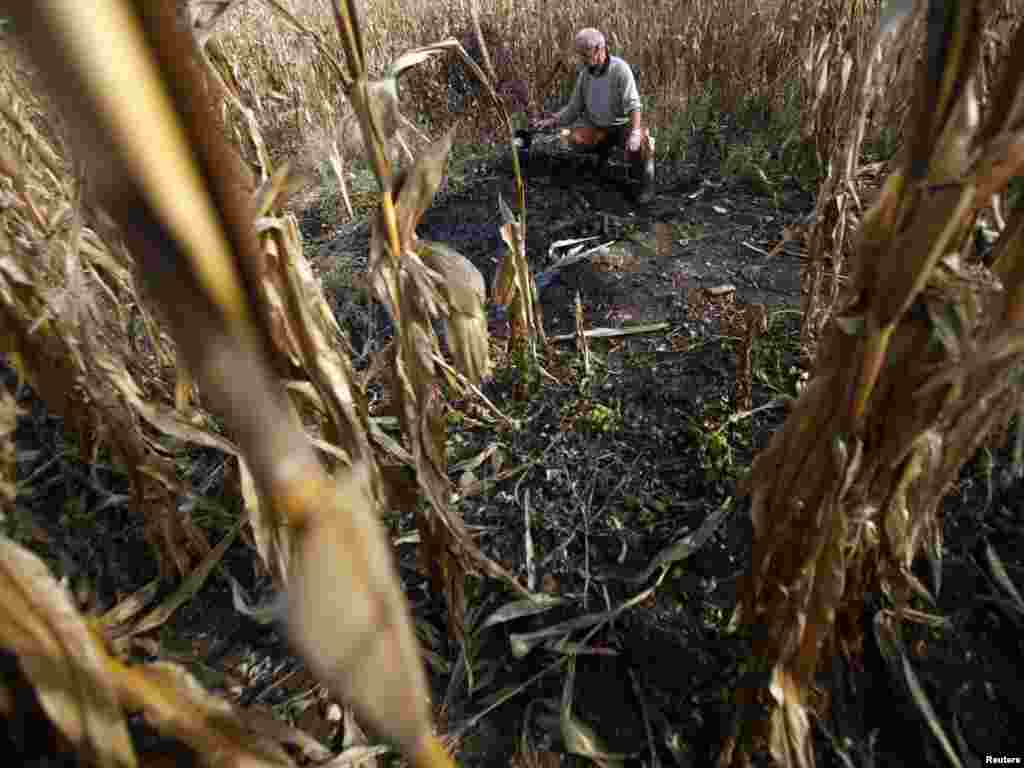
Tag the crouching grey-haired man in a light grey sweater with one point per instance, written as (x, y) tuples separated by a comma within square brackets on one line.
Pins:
[(607, 105)]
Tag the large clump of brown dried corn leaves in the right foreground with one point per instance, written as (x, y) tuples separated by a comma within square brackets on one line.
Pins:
[(914, 374)]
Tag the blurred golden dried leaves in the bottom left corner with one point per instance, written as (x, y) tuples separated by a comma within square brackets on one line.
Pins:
[(89, 694)]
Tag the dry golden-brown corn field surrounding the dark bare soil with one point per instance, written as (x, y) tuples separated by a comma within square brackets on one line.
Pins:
[(156, 294)]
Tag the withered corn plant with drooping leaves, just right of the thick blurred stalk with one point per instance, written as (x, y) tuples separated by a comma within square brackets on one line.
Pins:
[(418, 282)]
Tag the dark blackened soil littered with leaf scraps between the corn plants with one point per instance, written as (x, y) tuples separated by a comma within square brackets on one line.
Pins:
[(625, 461)]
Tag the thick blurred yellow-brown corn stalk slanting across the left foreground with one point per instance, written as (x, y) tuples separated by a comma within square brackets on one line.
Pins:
[(167, 178)]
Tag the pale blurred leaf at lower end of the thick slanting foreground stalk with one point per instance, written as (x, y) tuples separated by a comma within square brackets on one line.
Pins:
[(350, 619)]
